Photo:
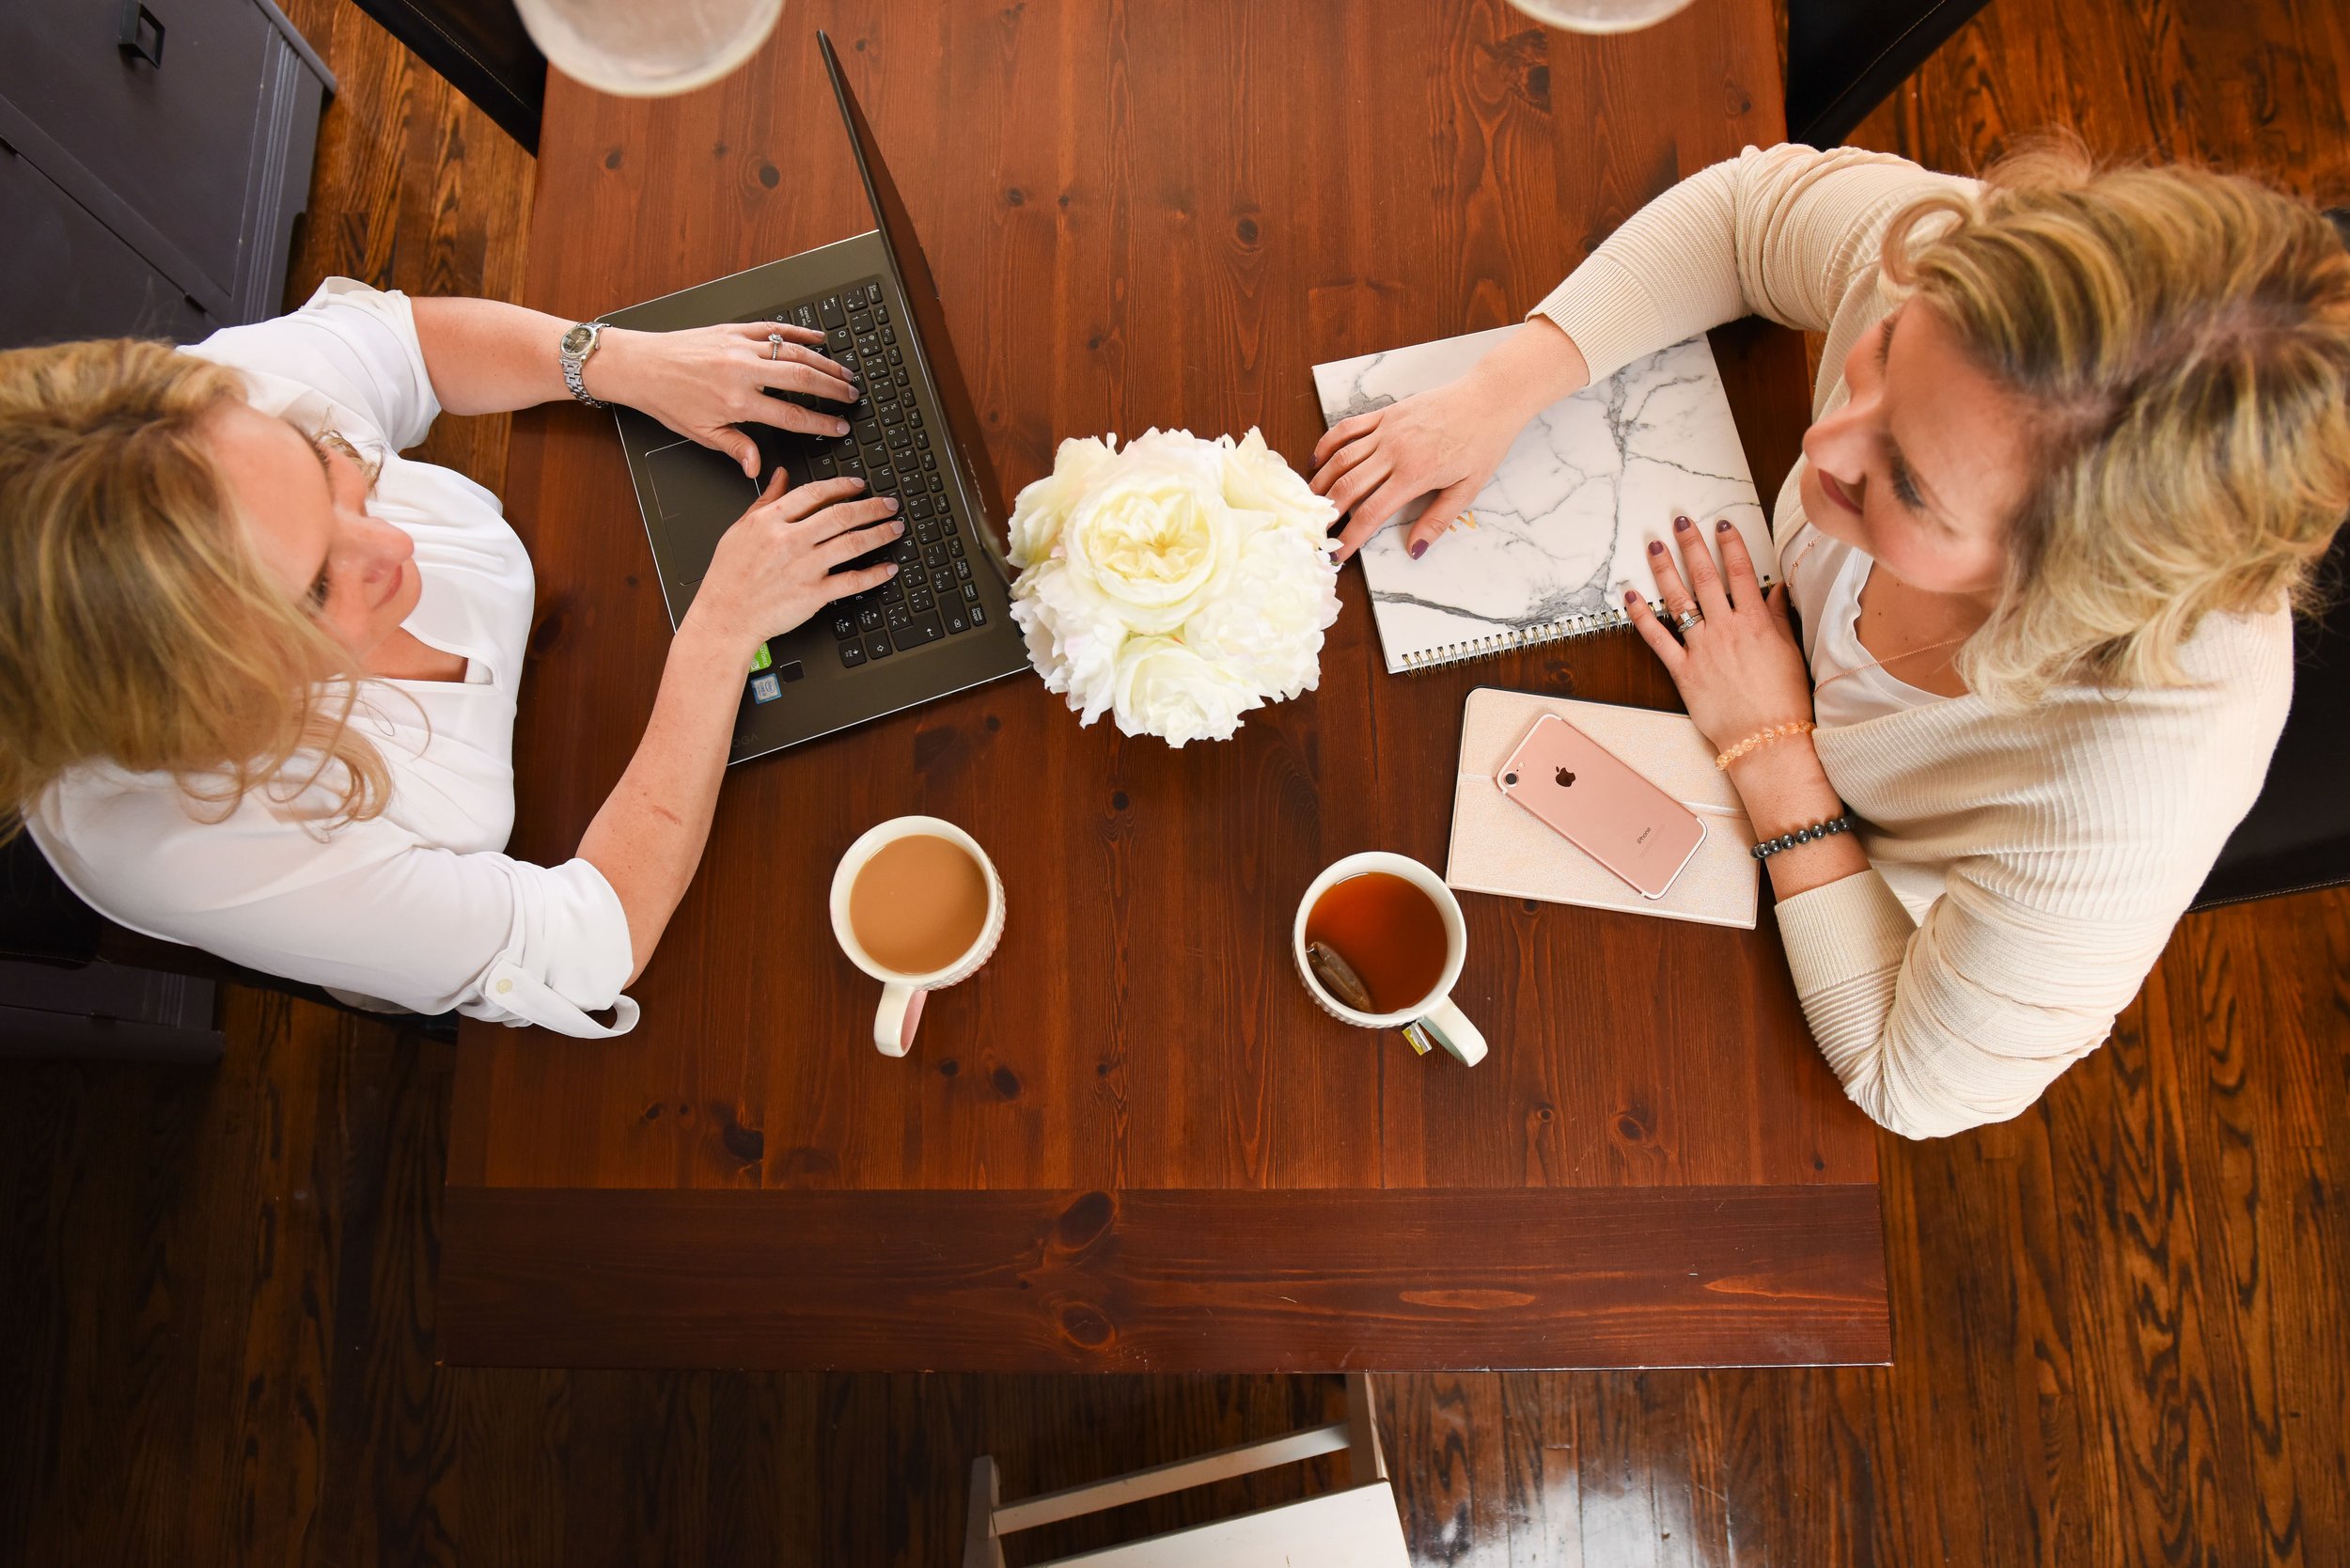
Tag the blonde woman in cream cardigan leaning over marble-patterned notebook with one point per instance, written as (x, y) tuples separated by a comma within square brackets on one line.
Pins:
[(2079, 438)]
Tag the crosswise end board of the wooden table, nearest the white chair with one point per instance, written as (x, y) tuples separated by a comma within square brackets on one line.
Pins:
[(1162, 1280)]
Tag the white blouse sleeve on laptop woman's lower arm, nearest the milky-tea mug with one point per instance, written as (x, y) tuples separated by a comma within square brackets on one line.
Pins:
[(372, 913)]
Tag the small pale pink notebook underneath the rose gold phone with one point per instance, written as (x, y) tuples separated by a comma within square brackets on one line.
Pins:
[(1500, 847)]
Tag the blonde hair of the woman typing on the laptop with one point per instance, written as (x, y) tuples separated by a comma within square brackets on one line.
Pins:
[(137, 626)]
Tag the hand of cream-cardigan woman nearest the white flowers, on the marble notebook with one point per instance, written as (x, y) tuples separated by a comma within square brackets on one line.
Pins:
[(1446, 441)]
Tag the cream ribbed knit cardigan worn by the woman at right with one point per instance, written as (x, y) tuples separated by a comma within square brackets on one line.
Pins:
[(2072, 836)]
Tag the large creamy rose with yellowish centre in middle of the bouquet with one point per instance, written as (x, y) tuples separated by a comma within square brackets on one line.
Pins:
[(1150, 537)]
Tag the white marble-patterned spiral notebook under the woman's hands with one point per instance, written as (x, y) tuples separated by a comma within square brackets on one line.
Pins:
[(1564, 528)]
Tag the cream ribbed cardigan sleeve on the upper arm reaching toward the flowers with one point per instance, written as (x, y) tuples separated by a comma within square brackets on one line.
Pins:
[(1773, 232)]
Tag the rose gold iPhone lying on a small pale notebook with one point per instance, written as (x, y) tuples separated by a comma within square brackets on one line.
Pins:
[(1599, 805)]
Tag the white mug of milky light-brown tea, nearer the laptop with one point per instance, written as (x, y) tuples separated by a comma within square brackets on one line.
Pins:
[(918, 906)]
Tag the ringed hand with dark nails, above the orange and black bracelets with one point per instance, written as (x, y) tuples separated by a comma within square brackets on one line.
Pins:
[(1740, 669)]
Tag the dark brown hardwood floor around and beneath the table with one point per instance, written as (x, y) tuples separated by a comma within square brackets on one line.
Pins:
[(2119, 1320)]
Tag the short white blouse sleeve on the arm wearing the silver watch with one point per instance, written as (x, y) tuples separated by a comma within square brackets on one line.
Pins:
[(351, 344)]
